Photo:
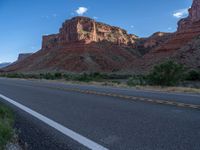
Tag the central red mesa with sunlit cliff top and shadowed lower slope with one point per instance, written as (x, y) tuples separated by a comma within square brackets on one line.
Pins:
[(82, 44)]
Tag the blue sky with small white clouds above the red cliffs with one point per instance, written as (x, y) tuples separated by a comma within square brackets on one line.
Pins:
[(23, 22)]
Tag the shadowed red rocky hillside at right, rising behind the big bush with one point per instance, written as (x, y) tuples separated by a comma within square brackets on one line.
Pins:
[(187, 33)]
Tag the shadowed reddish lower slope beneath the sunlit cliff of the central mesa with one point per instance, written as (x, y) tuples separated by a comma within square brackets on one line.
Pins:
[(77, 57)]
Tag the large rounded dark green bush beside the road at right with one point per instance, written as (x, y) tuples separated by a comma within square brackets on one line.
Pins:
[(168, 73)]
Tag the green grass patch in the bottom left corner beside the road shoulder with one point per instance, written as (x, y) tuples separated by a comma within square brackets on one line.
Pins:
[(6, 125)]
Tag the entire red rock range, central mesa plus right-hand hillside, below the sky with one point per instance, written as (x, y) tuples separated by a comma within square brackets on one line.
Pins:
[(84, 45)]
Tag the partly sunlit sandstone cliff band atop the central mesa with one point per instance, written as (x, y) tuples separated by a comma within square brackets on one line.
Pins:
[(86, 30)]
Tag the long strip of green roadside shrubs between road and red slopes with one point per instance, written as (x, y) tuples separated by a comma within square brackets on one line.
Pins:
[(168, 73)]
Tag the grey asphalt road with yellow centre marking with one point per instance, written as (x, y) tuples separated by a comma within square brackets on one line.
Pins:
[(118, 119)]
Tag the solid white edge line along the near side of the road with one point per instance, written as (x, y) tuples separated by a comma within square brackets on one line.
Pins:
[(73, 135)]
